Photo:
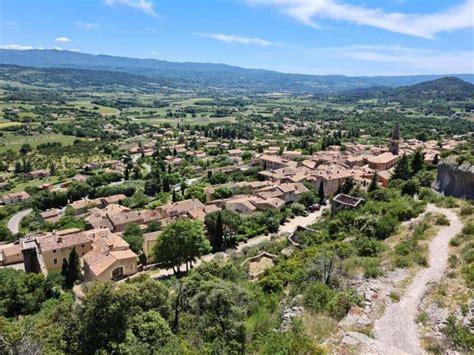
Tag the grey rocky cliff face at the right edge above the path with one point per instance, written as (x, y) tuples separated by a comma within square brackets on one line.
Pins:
[(454, 179)]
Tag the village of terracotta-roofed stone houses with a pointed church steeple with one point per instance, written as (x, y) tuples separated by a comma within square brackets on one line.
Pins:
[(283, 178)]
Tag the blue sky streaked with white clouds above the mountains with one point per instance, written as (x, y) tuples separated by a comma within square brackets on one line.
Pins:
[(348, 37)]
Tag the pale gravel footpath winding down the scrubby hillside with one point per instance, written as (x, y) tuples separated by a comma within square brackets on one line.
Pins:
[(397, 327)]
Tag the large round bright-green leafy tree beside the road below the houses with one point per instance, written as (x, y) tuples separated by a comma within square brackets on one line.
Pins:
[(181, 243)]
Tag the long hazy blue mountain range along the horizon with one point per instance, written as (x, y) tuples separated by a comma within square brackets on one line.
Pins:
[(206, 76)]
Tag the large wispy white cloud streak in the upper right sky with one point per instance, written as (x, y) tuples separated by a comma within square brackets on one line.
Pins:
[(421, 25)]
